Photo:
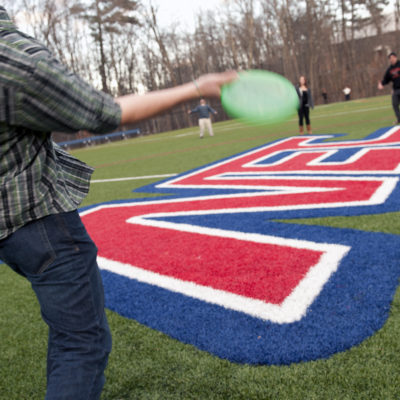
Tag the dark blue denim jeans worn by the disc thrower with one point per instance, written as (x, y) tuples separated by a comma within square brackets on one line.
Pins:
[(58, 257)]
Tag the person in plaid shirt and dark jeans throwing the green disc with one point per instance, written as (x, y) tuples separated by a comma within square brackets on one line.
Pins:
[(41, 186)]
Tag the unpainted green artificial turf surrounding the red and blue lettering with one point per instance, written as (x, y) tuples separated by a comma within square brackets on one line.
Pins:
[(146, 364)]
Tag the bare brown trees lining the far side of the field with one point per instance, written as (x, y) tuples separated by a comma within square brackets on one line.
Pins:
[(120, 47)]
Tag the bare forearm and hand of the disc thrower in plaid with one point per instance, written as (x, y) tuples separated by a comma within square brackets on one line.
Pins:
[(135, 107)]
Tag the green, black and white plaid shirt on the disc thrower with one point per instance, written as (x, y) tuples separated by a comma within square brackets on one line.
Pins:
[(38, 96)]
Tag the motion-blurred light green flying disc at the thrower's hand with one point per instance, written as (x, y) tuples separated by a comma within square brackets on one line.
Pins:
[(260, 97)]
